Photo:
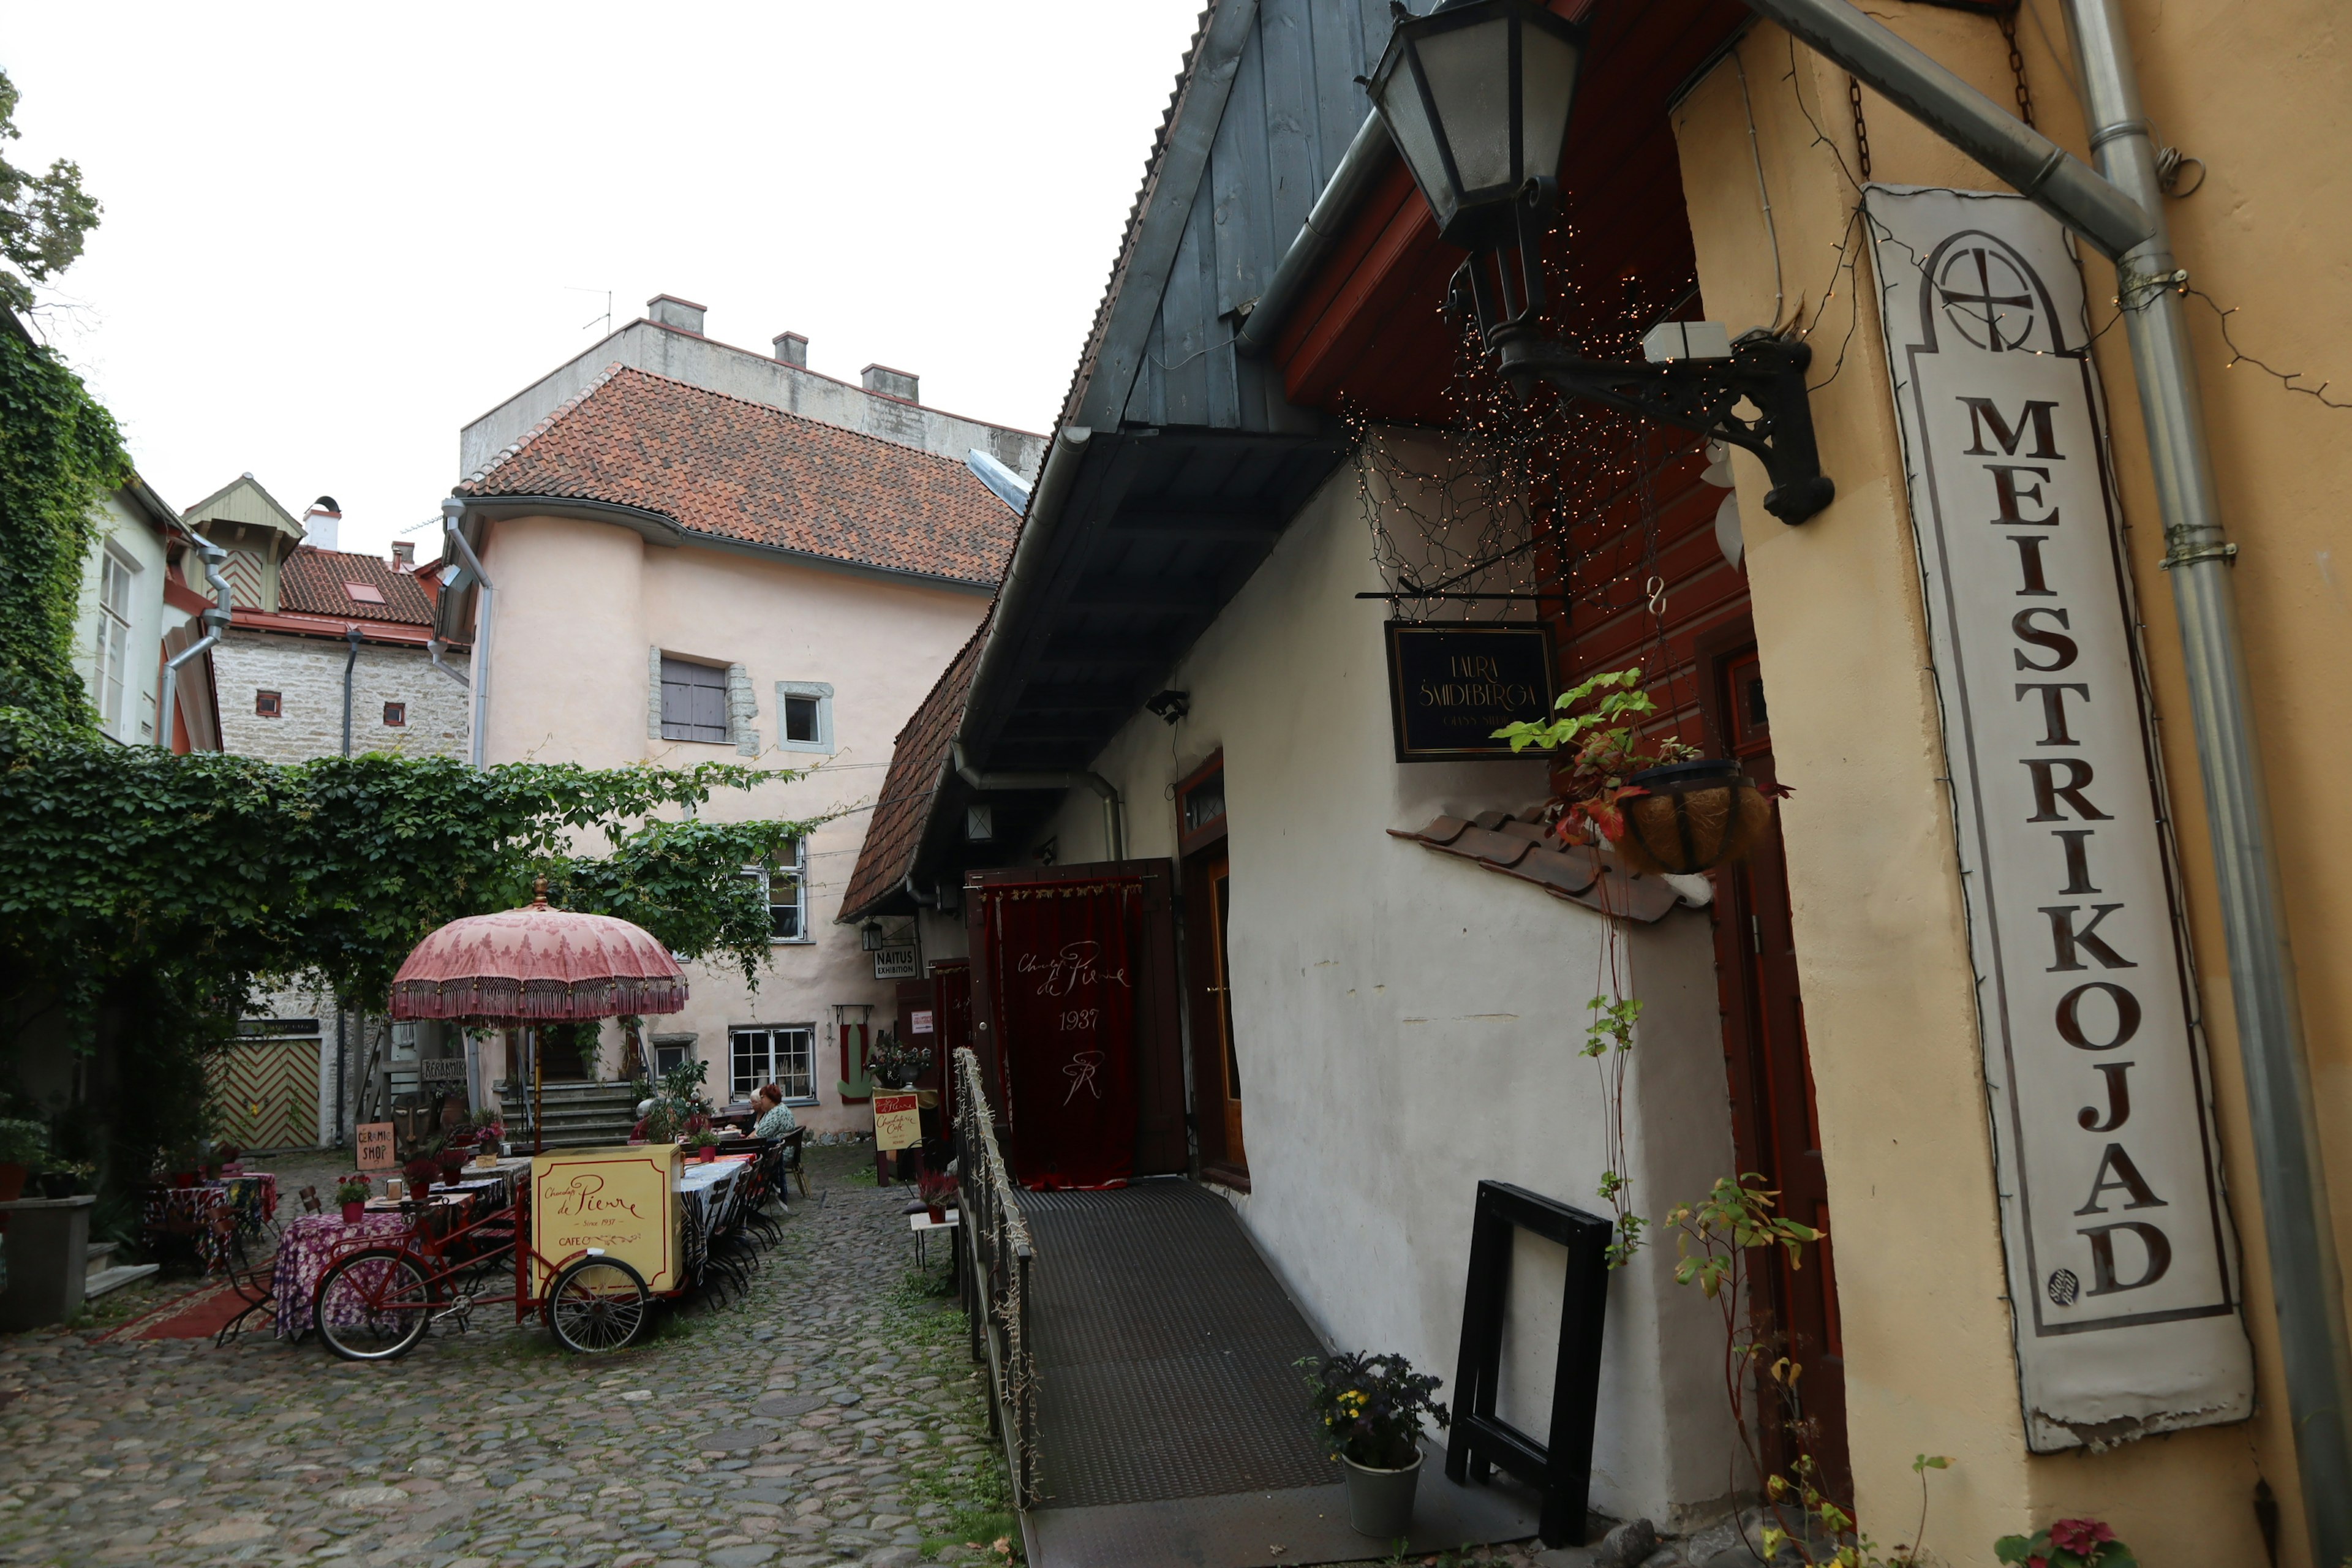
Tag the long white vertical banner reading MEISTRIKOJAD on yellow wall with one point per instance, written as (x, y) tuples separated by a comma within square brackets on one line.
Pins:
[(2123, 1278)]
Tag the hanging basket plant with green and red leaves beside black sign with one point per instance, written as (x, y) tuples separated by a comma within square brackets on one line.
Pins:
[(1652, 796)]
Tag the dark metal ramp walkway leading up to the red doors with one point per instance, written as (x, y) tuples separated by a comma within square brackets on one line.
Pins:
[(1170, 1412)]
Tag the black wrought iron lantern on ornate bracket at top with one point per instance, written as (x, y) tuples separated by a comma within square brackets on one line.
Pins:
[(1478, 95)]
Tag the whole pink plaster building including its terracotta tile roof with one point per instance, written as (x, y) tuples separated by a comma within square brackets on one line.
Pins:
[(667, 572)]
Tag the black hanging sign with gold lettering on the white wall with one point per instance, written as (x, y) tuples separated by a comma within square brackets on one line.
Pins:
[(1452, 685)]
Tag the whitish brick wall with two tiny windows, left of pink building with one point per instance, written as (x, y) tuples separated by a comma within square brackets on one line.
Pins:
[(307, 674)]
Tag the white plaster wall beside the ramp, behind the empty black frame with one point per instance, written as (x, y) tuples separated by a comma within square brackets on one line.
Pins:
[(1410, 1024)]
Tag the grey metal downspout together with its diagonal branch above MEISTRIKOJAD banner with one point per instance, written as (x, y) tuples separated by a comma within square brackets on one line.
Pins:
[(2123, 215)]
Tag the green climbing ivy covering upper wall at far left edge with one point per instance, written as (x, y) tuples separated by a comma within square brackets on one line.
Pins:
[(60, 455)]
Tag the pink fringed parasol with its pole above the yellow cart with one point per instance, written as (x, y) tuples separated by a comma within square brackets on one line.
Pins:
[(537, 967)]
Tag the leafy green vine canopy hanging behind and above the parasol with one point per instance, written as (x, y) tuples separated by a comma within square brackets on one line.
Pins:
[(147, 894)]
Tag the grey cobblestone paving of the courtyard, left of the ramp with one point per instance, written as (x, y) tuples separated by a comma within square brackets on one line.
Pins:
[(827, 1419)]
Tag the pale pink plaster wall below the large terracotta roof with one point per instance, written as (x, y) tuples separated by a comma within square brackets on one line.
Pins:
[(580, 608)]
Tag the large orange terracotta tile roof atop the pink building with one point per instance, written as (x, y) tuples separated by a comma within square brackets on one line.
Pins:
[(744, 471)]
